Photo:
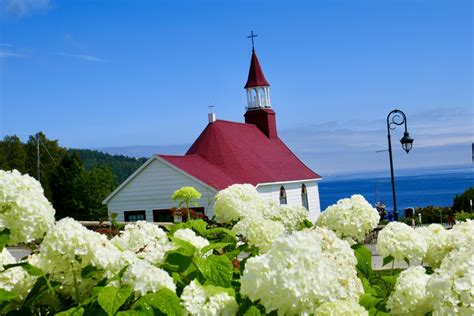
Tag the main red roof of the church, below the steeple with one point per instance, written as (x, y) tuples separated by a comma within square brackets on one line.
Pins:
[(227, 153)]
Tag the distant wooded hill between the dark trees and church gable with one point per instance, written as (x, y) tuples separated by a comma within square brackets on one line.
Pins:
[(122, 166)]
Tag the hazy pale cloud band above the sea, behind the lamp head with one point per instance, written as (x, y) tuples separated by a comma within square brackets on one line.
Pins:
[(442, 136)]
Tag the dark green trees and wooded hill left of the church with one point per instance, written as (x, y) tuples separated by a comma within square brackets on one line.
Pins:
[(76, 181)]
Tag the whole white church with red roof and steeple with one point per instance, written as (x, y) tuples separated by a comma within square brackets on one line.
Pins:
[(225, 153)]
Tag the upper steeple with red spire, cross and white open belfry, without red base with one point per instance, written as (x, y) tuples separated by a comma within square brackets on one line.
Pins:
[(258, 89)]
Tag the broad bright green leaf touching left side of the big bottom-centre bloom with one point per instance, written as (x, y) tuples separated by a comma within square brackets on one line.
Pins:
[(217, 270)]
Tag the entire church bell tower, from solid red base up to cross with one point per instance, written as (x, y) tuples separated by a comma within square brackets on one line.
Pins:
[(259, 109)]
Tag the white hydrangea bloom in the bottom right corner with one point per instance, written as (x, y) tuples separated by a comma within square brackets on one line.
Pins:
[(452, 284)]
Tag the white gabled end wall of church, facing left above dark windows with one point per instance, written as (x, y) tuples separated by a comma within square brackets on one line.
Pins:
[(152, 189)]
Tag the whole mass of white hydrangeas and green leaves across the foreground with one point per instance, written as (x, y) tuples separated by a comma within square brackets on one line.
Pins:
[(257, 258)]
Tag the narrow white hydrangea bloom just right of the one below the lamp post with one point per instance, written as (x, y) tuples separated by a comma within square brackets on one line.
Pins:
[(438, 244)]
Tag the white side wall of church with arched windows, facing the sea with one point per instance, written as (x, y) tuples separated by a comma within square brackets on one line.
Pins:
[(293, 194)]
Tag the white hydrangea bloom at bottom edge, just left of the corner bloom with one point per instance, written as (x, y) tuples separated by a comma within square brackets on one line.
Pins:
[(410, 296)]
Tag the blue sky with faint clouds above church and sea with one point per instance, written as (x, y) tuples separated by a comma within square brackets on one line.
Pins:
[(103, 74)]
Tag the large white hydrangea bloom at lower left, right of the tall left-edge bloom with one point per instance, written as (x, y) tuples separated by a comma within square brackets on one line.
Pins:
[(68, 248)]
